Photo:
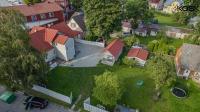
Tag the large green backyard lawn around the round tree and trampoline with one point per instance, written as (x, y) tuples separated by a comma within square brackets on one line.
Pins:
[(81, 81)]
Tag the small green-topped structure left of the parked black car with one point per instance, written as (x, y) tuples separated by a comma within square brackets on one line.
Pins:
[(8, 97)]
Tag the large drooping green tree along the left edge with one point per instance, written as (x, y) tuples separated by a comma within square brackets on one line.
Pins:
[(20, 65)]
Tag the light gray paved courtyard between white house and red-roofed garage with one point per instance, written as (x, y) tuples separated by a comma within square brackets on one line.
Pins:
[(86, 56)]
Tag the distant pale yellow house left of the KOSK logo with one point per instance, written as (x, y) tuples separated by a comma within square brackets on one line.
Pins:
[(171, 6)]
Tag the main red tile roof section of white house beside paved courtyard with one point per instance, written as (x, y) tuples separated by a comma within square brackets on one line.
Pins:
[(41, 38)]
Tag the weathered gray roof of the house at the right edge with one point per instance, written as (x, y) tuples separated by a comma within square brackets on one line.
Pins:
[(190, 57)]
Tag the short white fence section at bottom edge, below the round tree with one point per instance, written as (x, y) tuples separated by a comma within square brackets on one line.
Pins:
[(91, 108)]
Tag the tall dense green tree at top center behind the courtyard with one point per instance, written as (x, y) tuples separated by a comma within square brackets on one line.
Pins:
[(102, 17)]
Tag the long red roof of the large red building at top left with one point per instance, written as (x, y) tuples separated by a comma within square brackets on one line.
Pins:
[(39, 8)]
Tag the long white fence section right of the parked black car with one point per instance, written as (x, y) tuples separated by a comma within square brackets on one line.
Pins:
[(53, 94)]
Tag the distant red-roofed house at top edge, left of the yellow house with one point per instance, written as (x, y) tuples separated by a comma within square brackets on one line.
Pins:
[(156, 4)]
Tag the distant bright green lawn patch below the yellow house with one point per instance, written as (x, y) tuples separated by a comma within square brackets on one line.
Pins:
[(167, 20)]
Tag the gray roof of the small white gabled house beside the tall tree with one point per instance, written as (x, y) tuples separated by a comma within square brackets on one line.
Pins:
[(79, 18)]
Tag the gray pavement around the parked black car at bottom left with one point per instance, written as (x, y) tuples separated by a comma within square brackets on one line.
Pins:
[(17, 105)]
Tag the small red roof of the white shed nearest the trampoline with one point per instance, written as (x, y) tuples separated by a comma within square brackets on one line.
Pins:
[(139, 53)]
